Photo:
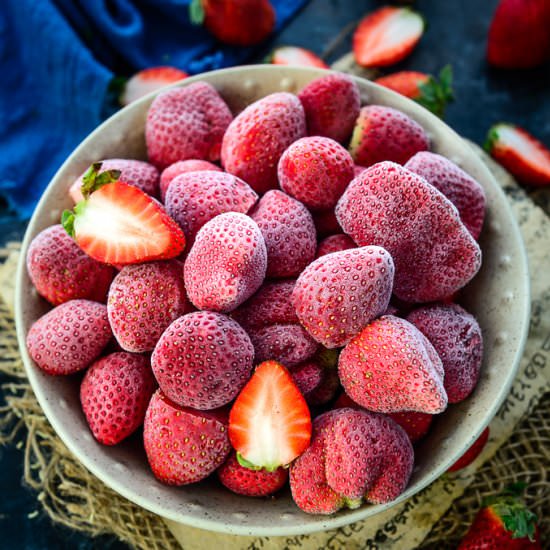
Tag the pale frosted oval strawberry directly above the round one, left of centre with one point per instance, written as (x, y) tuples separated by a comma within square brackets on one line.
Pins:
[(226, 264)]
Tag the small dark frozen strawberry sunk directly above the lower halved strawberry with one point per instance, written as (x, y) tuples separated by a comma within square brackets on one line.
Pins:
[(287, 344)]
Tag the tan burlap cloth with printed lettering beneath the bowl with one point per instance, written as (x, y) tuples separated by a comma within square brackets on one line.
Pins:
[(519, 447)]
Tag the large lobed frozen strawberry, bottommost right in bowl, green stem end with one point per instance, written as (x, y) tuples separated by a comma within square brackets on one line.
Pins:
[(355, 455)]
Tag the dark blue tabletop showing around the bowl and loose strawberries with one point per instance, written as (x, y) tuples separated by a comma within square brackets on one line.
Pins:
[(456, 34)]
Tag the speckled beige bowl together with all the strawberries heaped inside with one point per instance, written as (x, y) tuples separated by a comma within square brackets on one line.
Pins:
[(271, 300)]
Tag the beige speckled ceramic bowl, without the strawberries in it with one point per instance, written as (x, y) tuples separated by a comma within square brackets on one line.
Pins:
[(498, 296)]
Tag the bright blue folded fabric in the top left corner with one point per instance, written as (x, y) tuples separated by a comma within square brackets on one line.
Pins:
[(58, 58)]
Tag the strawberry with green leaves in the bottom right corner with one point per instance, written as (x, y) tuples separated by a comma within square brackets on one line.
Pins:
[(503, 522)]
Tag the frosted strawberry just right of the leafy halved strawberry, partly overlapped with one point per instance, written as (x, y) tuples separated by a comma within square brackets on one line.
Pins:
[(194, 198)]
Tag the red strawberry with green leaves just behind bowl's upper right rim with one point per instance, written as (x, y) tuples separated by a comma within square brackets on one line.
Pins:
[(423, 88)]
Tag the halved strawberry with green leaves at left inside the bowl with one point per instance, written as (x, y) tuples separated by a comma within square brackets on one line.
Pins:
[(117, 223)]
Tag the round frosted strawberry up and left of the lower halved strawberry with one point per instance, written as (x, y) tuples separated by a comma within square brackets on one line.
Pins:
[(202, 360)]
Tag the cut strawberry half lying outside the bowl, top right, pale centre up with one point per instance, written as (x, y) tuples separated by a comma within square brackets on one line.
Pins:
[(386, 36)]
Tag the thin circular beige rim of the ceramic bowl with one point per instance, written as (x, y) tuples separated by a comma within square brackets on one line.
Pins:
[(332, 521)]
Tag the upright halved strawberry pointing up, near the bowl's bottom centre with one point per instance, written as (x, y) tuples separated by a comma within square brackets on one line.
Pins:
[(269, 423)]
